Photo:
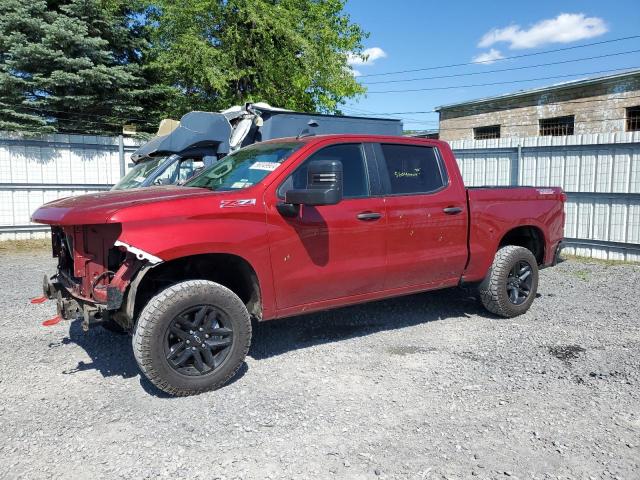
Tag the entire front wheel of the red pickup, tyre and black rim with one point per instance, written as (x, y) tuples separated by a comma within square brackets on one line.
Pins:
[(192, 337)]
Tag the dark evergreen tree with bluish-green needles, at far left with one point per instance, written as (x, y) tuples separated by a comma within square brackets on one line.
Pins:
[(71, 66)]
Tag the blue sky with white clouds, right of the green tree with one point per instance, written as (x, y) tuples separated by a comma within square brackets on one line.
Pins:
[(411, 34)]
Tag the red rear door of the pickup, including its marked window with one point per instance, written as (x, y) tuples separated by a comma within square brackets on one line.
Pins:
[(426, 217)]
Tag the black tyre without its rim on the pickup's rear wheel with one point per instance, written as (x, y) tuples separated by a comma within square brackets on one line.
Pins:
[(493, 289)]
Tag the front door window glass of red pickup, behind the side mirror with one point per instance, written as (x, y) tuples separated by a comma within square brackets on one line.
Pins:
[(355, 180)]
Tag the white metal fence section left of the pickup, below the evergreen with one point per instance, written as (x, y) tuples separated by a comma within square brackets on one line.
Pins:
[(35, 170)]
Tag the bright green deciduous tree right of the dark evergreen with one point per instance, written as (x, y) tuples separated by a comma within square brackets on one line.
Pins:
[(290, 53)]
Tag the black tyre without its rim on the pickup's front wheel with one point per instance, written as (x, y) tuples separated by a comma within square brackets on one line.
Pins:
[(152, 325)]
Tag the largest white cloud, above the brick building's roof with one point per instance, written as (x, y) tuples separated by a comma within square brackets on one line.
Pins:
[(565, 28)]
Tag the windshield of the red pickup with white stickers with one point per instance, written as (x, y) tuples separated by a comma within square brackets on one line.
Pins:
[(244, 168)]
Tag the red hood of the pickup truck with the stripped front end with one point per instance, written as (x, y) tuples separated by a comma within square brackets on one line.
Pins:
[(97, 208)]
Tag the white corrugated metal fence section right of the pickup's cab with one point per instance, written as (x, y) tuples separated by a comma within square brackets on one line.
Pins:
[(600, 173)]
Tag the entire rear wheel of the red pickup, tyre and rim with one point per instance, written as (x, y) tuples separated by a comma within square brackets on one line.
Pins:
[(512, 282)]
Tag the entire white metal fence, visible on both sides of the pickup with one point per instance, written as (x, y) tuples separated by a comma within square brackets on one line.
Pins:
[(601, 174)]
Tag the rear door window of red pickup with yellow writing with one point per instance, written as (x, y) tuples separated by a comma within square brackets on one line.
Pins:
[(413, 169)]
